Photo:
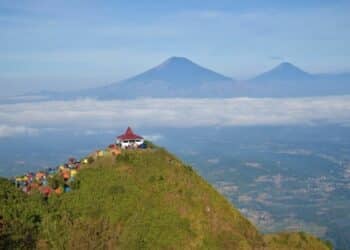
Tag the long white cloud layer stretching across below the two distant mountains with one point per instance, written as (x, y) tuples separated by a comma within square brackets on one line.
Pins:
[(27, 118)]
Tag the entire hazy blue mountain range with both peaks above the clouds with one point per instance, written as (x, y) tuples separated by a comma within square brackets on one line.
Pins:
[(179, 77)]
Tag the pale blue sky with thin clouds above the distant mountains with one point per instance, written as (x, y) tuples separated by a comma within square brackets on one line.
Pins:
[(74, 44)]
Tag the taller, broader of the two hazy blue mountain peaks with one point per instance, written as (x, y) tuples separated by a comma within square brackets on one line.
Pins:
[(176, 77)]
